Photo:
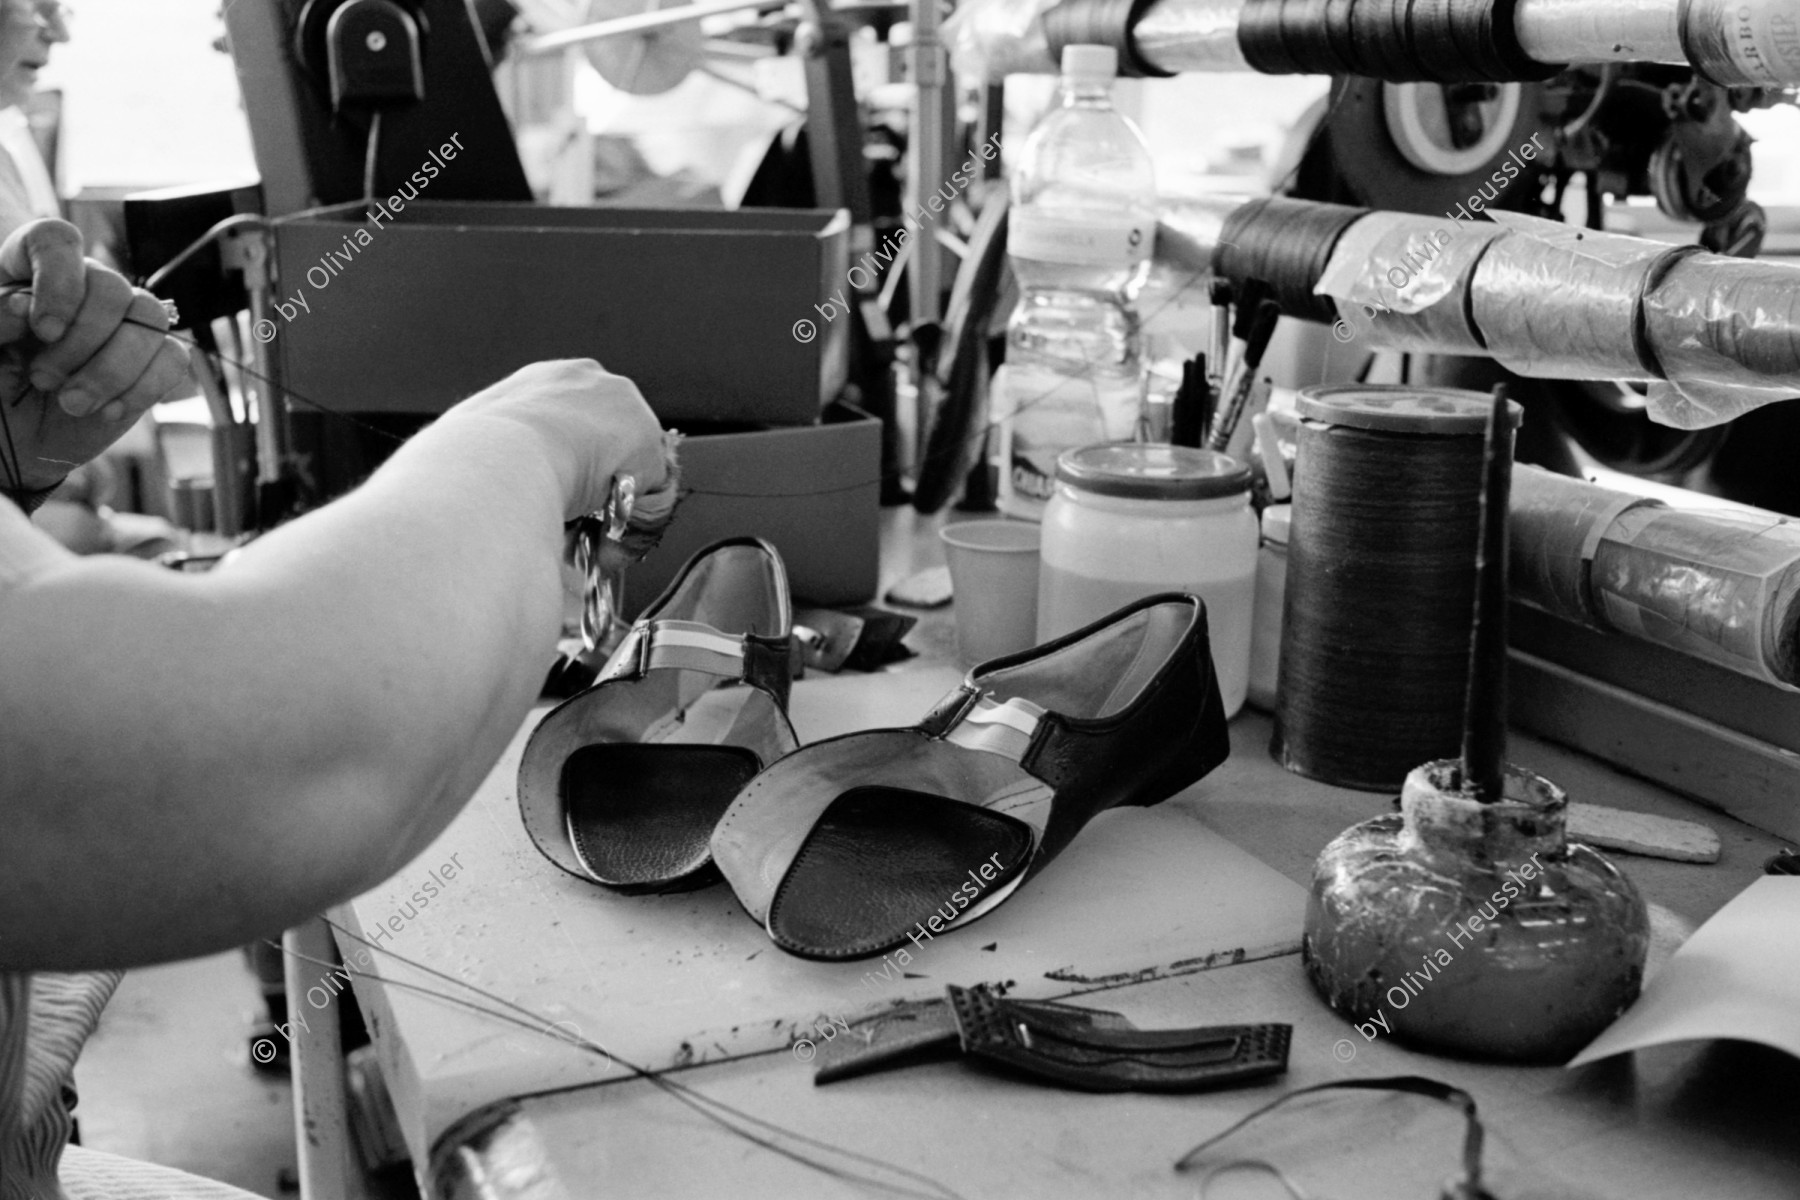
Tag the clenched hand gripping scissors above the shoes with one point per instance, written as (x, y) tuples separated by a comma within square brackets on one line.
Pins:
[(595, 427)]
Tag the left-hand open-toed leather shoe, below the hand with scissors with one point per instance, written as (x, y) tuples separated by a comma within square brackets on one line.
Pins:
[(624, 784)]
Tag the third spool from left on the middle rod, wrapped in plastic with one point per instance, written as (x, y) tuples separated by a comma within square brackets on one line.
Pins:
[(1569, 303)]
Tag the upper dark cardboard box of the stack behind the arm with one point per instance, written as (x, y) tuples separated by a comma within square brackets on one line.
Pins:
[(712, 314)]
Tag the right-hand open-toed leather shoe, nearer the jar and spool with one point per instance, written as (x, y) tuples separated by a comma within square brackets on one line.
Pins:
[(856, 845)]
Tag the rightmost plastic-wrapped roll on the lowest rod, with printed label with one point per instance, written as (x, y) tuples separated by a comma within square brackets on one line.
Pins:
[(1716, 586)]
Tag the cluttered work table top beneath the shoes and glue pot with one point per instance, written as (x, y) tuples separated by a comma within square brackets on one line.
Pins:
[(1682, 1124)]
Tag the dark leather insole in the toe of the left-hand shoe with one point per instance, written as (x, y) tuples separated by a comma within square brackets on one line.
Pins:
[(642, 816)]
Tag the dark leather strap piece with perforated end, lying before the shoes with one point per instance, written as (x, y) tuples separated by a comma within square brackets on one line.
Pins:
[(1074, 1050)]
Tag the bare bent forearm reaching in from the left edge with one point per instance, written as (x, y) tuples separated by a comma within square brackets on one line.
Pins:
[(213, 757)]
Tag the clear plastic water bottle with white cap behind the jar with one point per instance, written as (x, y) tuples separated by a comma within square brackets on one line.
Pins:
[(1081, 235)]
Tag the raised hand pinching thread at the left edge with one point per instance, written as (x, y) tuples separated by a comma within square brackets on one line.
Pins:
[(82, 355)]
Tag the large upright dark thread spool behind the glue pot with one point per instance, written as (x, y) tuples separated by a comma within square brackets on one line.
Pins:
[(1381, 582)]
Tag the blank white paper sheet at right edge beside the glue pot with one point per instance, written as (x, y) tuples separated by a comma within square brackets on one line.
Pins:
[(1736, 978)]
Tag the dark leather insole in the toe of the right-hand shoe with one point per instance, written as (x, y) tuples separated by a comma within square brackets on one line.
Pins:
[(883, 863)]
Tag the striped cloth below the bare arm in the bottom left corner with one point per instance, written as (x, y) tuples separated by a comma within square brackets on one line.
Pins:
[(44, 1021)]
